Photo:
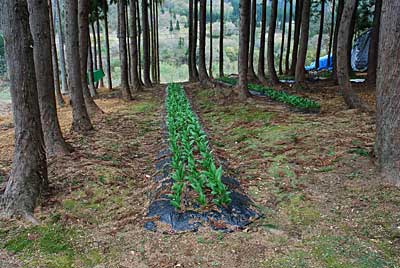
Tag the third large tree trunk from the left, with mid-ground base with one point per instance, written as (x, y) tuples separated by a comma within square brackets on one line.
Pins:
[(80, 117)]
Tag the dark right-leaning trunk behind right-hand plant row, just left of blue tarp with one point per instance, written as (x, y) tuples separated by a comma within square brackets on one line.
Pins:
[(300, 75)]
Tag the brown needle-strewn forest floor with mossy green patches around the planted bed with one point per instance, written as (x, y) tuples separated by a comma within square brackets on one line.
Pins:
[(311, 175)]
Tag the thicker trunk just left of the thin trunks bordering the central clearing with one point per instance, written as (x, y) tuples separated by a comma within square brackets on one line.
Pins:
[(146, 43)]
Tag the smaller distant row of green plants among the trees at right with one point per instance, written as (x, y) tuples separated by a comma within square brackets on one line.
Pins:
[(281, 96)]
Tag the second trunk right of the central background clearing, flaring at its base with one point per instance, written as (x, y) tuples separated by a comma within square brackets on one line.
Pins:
[(203, 76)]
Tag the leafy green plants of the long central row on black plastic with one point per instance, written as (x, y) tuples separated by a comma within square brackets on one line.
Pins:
[(192, 161)]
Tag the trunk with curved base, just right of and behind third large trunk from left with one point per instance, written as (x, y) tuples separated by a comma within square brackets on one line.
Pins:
[(83, 20)]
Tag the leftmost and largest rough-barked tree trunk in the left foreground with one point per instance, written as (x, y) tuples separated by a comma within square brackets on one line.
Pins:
[(29, 170)]
